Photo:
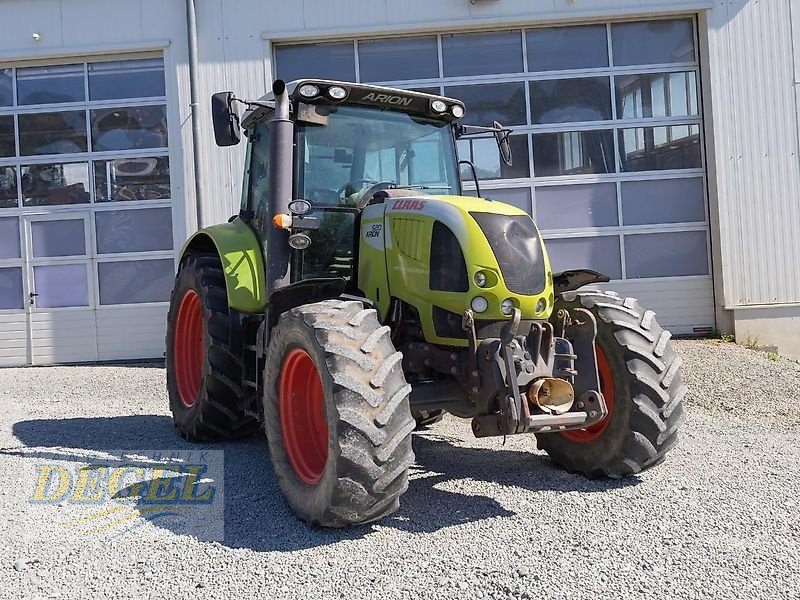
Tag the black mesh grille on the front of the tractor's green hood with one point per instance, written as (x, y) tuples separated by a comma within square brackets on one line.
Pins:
[(518, 250)]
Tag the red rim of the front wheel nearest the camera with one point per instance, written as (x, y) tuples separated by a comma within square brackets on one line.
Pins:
[(305, 431)]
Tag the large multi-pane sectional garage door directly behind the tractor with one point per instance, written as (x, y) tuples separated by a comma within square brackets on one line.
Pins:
[(607, 142)]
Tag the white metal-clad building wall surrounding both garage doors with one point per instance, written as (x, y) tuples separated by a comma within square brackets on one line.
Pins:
[(751, 94)]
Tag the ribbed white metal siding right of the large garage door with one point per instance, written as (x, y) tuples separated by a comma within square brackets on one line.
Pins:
[(755, 114)]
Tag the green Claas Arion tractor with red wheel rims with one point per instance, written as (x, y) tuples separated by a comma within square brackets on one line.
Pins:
[(358, 296)]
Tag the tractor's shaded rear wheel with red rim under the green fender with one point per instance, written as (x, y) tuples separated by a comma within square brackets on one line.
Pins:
[(203, 370)]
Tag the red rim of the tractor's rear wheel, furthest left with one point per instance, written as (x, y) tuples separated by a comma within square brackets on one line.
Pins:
[(188, 348)]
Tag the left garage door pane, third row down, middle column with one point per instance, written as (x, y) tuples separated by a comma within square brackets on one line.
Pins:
[(47, 184)]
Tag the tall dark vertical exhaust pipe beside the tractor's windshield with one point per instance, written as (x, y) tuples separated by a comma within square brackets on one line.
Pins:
[(280, 187)]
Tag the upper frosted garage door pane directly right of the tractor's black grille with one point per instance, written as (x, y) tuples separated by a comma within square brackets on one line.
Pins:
[(598, 253)]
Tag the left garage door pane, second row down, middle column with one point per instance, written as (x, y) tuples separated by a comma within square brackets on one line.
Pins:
[(52, 133)]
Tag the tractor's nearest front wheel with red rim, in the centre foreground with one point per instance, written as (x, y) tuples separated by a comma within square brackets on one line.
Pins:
[(336, 414)]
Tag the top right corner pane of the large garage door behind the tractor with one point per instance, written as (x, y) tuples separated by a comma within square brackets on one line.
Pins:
[(653, 42)]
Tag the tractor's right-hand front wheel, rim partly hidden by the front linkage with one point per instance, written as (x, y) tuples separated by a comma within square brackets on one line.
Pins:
[(641, 382)]
